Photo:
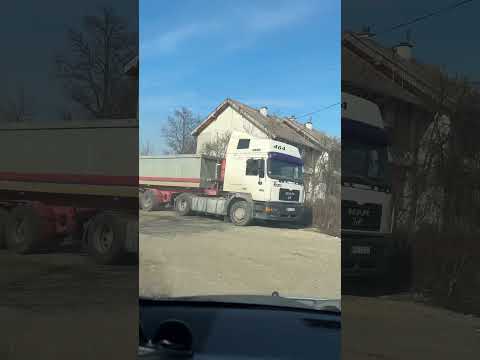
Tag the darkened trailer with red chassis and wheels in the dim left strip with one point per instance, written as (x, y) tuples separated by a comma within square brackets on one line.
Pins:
[(68, 179)]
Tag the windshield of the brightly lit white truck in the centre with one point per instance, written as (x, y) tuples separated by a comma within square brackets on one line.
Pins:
[(285, 167)]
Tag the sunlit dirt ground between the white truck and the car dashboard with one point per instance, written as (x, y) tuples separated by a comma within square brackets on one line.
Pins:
[(195, 255)]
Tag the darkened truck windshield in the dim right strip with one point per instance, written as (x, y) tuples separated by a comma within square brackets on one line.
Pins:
[(365, 161)]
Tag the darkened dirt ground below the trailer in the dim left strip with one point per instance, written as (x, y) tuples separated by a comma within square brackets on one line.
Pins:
[(62, 306)]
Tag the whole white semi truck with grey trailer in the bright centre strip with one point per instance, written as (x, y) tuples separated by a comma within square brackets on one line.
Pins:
[(257, 179)]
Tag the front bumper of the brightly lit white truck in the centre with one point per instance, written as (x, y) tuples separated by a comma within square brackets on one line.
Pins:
[(278, 211)]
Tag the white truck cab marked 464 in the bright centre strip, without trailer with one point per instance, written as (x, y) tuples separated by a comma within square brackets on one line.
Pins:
[(269, 173)]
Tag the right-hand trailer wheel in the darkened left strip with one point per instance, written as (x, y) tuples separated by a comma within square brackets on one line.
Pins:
[(106, 239)]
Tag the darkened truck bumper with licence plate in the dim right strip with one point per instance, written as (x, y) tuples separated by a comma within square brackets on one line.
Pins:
[(366, 256)]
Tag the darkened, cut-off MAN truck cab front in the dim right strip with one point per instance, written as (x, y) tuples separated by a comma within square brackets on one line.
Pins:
[(366, 189)]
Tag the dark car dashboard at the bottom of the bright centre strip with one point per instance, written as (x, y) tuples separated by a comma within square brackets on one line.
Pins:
[(225, 329)]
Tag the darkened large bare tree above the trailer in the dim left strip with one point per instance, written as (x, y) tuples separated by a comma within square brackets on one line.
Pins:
[(93, 68)]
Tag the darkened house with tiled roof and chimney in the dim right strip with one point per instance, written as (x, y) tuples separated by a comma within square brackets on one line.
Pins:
[(410, 95)]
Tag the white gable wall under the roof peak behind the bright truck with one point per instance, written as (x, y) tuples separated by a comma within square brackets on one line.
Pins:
[(229, 120)]
